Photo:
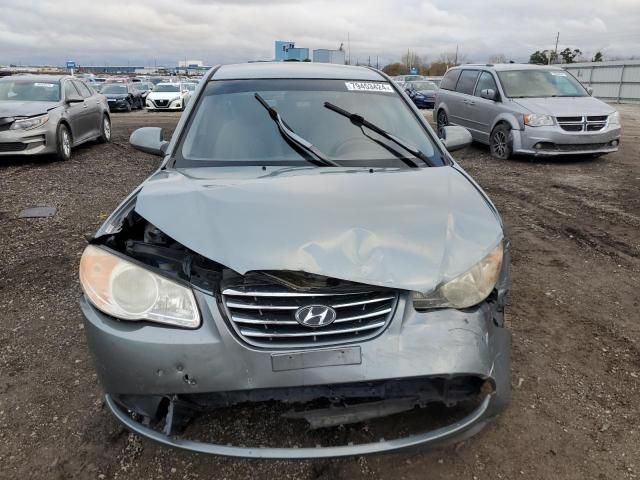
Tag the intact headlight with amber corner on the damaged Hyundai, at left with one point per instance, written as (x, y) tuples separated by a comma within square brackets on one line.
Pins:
[(127, 291)]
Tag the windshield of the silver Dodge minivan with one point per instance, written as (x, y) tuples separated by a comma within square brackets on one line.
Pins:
[(540, 83)]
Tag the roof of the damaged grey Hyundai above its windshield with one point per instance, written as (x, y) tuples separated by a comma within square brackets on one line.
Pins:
[(295, 70)]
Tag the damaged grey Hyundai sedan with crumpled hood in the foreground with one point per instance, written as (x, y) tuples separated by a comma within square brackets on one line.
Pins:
[(307, 240)]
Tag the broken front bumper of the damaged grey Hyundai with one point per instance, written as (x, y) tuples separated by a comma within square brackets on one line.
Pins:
[(145, 359)]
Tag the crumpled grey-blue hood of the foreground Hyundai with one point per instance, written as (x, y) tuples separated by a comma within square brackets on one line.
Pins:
[(402, 228)]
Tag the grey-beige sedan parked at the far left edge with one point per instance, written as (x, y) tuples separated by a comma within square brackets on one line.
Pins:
[(44, 114)]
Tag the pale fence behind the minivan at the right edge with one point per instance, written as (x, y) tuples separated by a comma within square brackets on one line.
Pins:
[(611, 81)]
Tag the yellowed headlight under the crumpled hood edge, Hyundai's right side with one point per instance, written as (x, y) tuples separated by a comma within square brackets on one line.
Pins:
[(467, 289)]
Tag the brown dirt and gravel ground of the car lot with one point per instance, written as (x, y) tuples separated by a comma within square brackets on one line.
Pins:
[(575, 232)]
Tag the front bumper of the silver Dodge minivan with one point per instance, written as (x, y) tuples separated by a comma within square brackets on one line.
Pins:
[(552, 140)]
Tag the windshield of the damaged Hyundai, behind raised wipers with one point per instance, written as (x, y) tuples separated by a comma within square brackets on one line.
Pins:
[(230, 126)]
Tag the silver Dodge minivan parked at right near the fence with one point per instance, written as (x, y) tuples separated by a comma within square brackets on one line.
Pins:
[(527, 109)]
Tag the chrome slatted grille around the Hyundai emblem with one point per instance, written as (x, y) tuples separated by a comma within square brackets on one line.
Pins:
[(265, 316)]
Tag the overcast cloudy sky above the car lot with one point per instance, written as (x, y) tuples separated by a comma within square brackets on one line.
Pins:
[(148, 32)]
